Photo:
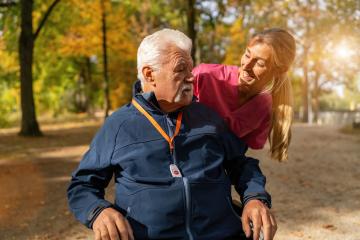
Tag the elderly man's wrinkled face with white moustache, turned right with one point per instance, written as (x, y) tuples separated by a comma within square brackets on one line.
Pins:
[(174, 80)]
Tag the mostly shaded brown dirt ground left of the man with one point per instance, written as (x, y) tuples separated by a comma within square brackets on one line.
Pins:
[(34, 175)]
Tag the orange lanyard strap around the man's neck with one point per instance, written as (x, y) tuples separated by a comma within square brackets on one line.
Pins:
[(157, 126)]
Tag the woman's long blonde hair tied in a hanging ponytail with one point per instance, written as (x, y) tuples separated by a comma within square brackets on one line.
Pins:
[(283, 48)]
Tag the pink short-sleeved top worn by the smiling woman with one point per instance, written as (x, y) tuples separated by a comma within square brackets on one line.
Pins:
[(215, 85)]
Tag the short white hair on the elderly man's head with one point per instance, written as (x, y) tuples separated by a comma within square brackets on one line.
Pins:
[(155, 45)]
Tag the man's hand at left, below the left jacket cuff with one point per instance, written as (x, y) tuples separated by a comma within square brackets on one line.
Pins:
[(111, 225)]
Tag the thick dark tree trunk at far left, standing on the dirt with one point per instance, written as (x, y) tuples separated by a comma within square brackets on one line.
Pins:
[(29, 124)]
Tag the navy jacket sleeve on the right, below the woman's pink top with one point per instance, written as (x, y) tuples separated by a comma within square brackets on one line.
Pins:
[(244, 172)]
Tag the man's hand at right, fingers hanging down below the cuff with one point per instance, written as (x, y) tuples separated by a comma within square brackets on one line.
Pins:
[(259, 214)]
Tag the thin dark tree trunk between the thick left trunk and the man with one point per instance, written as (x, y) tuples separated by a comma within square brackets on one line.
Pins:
[(105, 72)]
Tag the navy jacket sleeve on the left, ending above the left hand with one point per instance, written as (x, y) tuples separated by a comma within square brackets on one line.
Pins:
[(87, 187)]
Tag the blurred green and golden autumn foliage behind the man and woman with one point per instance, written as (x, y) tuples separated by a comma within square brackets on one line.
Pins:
[(68, 55)]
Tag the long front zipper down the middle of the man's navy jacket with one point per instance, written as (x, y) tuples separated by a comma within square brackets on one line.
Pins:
[(186, 187)]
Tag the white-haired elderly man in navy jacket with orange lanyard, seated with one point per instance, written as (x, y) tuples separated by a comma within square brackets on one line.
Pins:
[(173, 160)]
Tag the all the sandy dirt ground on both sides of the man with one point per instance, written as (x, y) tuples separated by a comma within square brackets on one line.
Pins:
[(316, 195)]
